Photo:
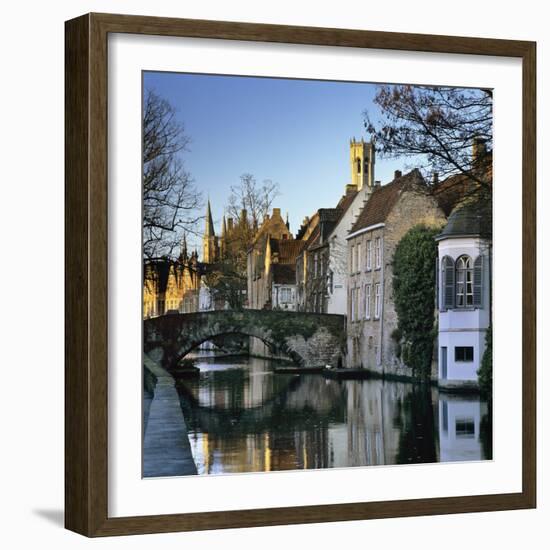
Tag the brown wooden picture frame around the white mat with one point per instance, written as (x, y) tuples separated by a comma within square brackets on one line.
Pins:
[(86, 222)]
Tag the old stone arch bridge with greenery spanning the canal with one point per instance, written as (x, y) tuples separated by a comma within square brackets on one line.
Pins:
[(309, 339)]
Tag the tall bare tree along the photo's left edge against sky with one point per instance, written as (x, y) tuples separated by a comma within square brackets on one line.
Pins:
[(170, 199)]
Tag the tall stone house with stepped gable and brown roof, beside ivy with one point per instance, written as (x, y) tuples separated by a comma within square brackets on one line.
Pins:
[(389, 213)]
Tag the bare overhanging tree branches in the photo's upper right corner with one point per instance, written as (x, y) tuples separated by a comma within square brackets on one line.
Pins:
[(435, 125)]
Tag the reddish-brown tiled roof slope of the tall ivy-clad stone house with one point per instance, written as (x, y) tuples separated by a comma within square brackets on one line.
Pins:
[(384, 198)]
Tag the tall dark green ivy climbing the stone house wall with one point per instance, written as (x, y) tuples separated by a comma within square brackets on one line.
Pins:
[(413, 296)]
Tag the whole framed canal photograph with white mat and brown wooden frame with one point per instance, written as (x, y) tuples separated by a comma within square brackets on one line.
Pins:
[(300, 275)]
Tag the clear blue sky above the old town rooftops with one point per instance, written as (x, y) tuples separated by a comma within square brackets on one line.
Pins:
[(294, 132)]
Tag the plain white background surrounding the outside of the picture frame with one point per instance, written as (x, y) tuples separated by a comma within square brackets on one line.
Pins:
[(32, 486)]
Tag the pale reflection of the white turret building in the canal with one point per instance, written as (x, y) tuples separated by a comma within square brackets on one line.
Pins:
[(459, 427)]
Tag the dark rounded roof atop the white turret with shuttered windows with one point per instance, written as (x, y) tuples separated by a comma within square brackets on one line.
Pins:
[(472, 219)]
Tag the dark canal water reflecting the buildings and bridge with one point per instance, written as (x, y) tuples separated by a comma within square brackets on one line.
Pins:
[(242, 416)]
